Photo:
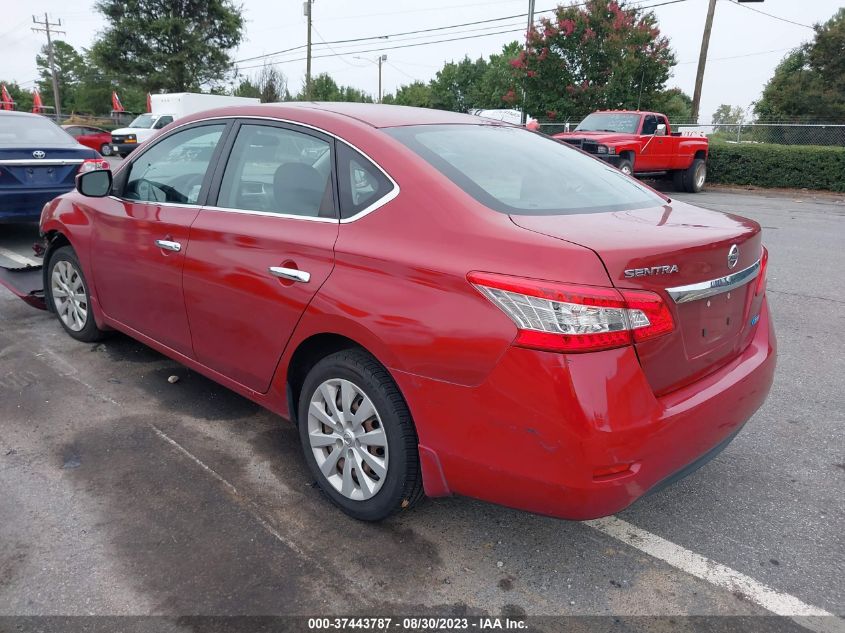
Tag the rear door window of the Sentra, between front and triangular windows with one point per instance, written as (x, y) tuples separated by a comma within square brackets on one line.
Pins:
[(276, 170)]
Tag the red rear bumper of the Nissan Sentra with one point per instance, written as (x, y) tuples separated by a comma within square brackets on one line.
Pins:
[(545, 431)]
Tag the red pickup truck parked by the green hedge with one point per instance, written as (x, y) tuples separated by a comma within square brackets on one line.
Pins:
[(642, 142)]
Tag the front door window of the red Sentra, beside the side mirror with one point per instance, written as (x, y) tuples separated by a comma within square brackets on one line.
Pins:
[(173, 169)]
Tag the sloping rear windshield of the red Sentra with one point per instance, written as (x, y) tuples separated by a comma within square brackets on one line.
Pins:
[(514, 171)]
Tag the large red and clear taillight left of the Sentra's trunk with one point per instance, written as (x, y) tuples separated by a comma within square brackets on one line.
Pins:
[(570, 318)]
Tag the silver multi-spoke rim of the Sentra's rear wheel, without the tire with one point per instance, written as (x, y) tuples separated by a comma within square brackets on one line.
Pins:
[(347, 439)]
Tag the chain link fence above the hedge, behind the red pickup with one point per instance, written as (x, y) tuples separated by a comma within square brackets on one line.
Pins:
[(775, 132)]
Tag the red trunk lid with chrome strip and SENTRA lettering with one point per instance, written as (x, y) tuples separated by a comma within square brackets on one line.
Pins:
[(667, 247)]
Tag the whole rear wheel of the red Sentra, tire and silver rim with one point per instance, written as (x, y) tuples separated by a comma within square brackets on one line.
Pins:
[(358, 437)]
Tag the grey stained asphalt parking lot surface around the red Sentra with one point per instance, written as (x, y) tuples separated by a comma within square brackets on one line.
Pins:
[(125, 494)]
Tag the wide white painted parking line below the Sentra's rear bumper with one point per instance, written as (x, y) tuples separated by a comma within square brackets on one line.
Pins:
[(777, 602)]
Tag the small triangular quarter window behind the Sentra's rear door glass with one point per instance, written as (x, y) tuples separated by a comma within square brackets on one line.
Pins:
[(361, 183)]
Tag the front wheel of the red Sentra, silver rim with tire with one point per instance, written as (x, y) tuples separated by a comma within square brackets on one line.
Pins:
[(69, 296)]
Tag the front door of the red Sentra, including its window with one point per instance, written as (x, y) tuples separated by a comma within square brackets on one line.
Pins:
[(141, 234)]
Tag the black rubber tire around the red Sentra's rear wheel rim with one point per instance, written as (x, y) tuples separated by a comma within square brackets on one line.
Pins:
[(402, 486)]
